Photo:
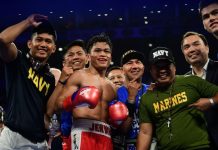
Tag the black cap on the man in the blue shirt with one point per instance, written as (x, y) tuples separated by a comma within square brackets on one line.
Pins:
[(132, 54)]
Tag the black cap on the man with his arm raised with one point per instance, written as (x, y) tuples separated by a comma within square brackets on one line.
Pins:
[(45, 27)]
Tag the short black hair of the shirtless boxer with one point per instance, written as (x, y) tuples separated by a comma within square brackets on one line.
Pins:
[(98, 38)]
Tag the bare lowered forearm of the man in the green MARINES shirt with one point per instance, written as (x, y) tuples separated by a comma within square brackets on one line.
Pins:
[(144, 136)]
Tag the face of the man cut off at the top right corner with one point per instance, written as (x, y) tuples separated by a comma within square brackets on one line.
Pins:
[(209, 16)]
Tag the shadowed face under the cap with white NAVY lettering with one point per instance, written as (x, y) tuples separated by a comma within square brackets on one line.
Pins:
[(163, 72)]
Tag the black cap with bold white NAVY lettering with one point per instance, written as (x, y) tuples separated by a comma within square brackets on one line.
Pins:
[(160, 53)]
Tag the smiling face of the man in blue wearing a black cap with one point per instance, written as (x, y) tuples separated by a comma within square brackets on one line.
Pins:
[(133, 69)]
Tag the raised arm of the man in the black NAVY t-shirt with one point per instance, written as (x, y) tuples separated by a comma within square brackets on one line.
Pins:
[(8, 50)]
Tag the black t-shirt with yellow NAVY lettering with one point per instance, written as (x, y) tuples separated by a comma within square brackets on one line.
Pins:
[(27, 93)]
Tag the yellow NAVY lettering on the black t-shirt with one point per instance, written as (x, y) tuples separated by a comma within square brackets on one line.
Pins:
[(38, 81)]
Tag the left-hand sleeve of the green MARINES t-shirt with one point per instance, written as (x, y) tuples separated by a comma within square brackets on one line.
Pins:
[(144, 115)]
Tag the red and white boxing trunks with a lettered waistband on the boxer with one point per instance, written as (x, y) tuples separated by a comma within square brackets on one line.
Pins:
[(89, 134)]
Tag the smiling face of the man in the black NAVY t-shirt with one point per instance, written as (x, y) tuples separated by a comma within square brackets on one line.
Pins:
[(41, 46)]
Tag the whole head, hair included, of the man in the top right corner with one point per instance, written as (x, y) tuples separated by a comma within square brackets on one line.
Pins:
[(209, 14)]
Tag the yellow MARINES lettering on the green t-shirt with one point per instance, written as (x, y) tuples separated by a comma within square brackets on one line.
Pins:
[(167, 103)]
